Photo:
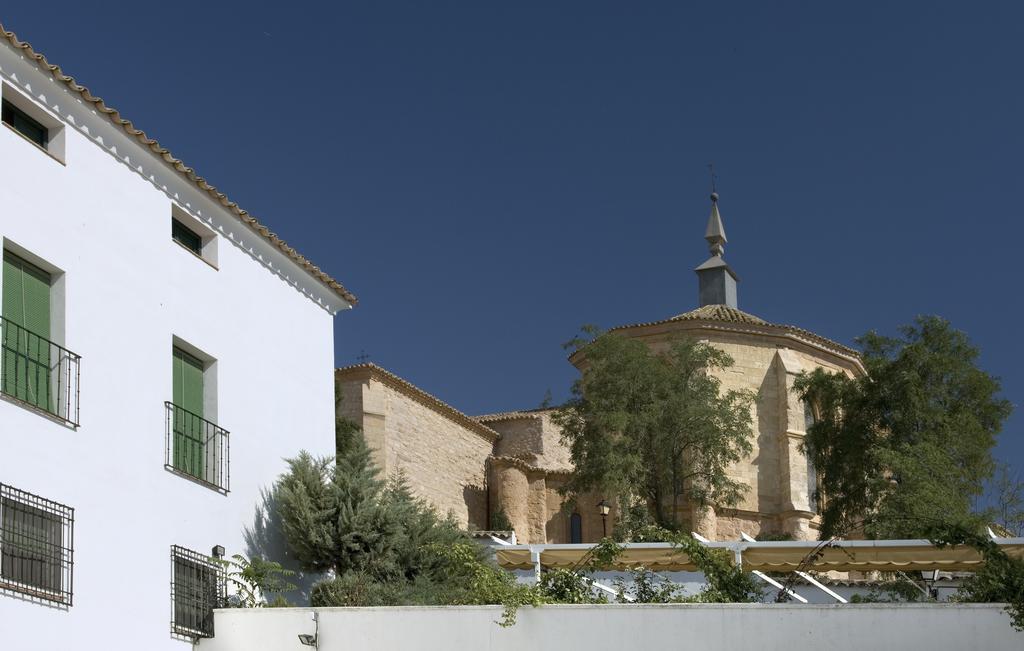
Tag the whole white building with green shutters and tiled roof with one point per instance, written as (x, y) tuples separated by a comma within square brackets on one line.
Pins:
[(145, 317)]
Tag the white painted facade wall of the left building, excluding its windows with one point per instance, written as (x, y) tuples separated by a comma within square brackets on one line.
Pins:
[(105, 220)]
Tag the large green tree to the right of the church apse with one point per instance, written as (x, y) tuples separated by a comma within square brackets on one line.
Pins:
[(910, 444)]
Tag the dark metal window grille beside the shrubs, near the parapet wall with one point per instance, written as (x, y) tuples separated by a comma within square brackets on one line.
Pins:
[(197, 588)]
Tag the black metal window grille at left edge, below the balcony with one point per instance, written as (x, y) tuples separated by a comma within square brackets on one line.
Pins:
[(36, 547)]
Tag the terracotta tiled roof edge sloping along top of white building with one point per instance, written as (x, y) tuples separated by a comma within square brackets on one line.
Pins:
[(186, 171)]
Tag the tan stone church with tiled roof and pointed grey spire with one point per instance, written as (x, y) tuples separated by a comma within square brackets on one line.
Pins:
[(516, 462)]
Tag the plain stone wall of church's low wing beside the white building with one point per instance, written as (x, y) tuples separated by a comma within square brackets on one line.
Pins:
[(444, 461)]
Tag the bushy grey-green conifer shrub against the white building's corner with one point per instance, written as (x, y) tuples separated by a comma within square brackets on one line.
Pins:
[(378, 542)]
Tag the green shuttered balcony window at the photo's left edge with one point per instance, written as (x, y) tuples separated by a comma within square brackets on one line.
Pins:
[(25, 367)]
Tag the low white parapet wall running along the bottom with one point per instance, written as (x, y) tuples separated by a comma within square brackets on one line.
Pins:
[(620, 628)]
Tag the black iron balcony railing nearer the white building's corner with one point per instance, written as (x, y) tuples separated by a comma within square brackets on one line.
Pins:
[(198, 449)]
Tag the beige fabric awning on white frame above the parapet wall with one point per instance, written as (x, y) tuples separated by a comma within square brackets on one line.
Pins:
[(773, 557)]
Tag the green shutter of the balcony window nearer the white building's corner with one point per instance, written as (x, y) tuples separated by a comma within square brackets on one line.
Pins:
[(190, 429)]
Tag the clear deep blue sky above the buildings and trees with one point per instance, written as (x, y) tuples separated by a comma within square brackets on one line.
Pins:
[(488, 179)]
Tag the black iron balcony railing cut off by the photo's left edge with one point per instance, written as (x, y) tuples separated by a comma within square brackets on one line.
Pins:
[(38, 373)]
